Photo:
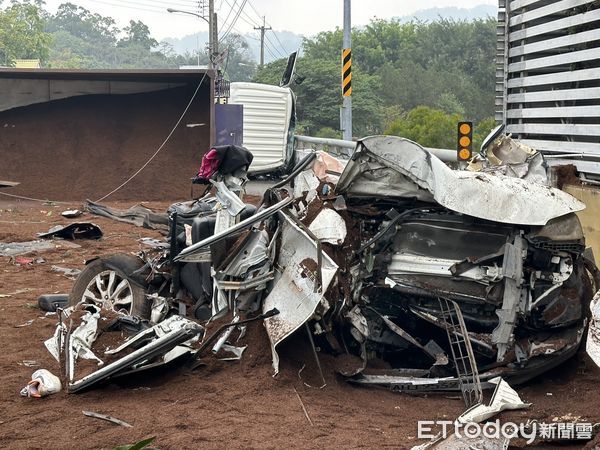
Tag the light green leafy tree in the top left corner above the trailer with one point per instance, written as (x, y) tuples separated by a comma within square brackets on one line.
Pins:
[(22, 34)]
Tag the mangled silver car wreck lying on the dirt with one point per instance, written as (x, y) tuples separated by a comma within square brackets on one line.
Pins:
[(445, 277)]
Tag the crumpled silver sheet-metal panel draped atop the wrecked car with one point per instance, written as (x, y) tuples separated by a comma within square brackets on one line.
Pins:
[(389, 166)]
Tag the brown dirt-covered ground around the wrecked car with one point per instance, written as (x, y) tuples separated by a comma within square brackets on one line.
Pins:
[(223, 404)]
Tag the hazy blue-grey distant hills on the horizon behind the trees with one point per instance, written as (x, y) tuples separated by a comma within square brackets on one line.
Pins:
[(291, 41)]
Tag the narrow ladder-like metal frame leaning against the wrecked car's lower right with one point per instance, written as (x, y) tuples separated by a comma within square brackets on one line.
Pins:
[(462, 352)]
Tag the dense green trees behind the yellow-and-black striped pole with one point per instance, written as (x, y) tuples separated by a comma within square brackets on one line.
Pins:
[(445, 65)]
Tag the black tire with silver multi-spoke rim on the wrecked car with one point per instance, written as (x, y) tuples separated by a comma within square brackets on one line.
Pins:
[(121, 294)]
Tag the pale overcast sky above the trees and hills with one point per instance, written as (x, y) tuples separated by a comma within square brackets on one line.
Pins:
[(305, 17)]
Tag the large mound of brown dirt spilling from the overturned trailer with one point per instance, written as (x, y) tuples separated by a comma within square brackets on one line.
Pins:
[(84, 147)]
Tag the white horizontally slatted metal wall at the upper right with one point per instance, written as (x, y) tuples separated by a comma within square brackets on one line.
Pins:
[(548, 76)]
